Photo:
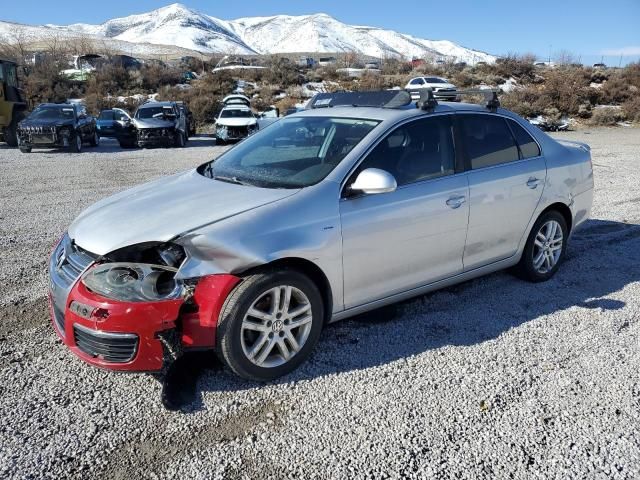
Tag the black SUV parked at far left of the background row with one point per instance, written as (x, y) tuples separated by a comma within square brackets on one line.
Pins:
[(57, 125)]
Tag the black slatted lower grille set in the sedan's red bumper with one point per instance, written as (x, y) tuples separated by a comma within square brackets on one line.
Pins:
[(110, 347)]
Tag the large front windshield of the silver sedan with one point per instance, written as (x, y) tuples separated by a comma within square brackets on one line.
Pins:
[(291, 153)]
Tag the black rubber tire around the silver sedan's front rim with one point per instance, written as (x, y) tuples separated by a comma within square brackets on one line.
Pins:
[(229, 337)]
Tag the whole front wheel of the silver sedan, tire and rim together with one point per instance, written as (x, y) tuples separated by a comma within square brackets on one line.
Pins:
[(270, 324)]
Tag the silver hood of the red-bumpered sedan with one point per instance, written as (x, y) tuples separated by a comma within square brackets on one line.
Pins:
[(163, 209)]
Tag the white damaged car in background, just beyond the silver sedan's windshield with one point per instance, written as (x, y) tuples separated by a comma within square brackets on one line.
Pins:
[(236, 120)]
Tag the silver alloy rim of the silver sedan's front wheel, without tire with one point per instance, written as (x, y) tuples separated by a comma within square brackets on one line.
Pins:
[(276, 326)]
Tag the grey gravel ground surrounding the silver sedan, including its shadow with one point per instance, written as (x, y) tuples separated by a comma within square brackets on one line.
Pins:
[(493, 378)]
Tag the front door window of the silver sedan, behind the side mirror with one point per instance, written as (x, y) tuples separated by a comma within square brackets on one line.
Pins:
[(416, 151)]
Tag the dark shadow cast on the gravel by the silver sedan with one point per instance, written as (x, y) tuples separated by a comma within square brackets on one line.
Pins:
[(462, 315)]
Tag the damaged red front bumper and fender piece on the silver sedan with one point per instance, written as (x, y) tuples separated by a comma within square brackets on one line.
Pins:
[(125, 335)]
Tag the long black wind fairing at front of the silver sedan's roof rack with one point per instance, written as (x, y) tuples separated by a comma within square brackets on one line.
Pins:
[(377, 98)]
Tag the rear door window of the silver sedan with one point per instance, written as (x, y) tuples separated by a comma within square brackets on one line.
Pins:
[(488, 140)]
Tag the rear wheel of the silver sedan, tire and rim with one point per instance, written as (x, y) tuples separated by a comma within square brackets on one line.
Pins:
[(545, 248)]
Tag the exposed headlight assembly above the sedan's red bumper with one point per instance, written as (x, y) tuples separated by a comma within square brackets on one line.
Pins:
[(134, 282)]
